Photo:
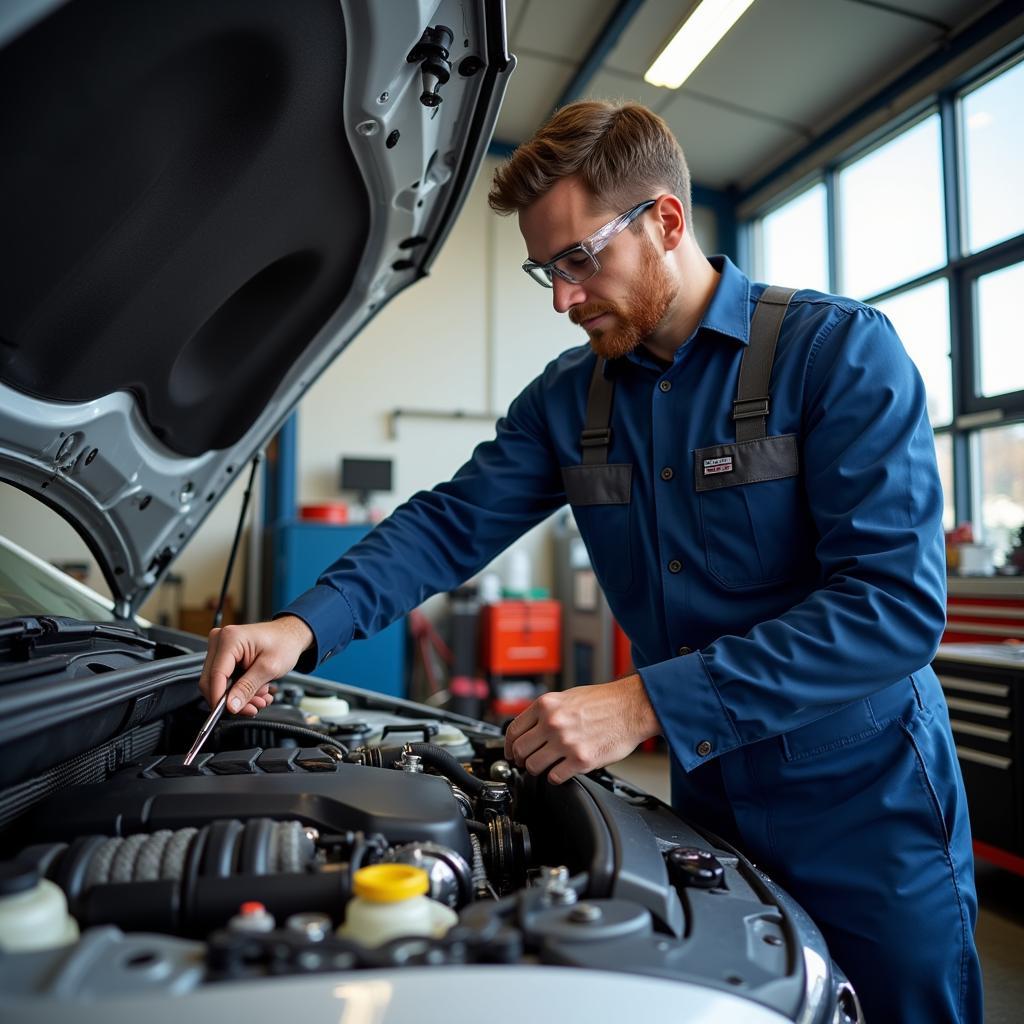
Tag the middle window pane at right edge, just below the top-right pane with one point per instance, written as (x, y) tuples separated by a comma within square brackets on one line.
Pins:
[(1000, 352)]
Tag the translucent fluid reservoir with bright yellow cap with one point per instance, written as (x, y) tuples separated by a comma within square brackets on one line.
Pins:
[(390, 903)]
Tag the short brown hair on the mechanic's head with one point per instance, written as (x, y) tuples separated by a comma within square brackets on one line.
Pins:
[(623, 154)]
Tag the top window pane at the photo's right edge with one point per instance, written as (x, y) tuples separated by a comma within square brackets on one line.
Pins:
[(994, 160)]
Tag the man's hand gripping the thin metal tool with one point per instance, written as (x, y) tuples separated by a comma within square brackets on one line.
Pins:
[(267, 651)]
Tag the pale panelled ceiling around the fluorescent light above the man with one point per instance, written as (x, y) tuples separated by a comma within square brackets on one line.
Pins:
[(785, 72)]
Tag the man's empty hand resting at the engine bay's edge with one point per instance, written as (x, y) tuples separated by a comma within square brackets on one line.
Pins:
[(581, 730)]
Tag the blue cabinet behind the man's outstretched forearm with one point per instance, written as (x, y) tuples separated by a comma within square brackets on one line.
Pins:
[(301, 551)]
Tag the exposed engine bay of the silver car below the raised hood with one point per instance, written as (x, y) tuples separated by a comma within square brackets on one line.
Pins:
[(244, 865)]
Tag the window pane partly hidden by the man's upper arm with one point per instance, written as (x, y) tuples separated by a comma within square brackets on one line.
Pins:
[(922, 320)]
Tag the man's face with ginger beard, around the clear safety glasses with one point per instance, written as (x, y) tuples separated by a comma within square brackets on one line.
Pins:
[(632, 293)]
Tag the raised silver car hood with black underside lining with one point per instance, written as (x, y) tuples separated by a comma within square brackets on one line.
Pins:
[(202, 204)]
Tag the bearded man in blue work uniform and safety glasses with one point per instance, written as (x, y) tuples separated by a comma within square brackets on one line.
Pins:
[(756, 485)]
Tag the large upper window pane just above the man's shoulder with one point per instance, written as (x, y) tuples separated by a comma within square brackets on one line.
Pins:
[(892, 227)]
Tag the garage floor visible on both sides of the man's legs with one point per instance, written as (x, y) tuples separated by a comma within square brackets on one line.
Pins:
[(1001, 921)]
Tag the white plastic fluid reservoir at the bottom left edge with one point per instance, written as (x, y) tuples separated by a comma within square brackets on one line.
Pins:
[(33, 912)]
